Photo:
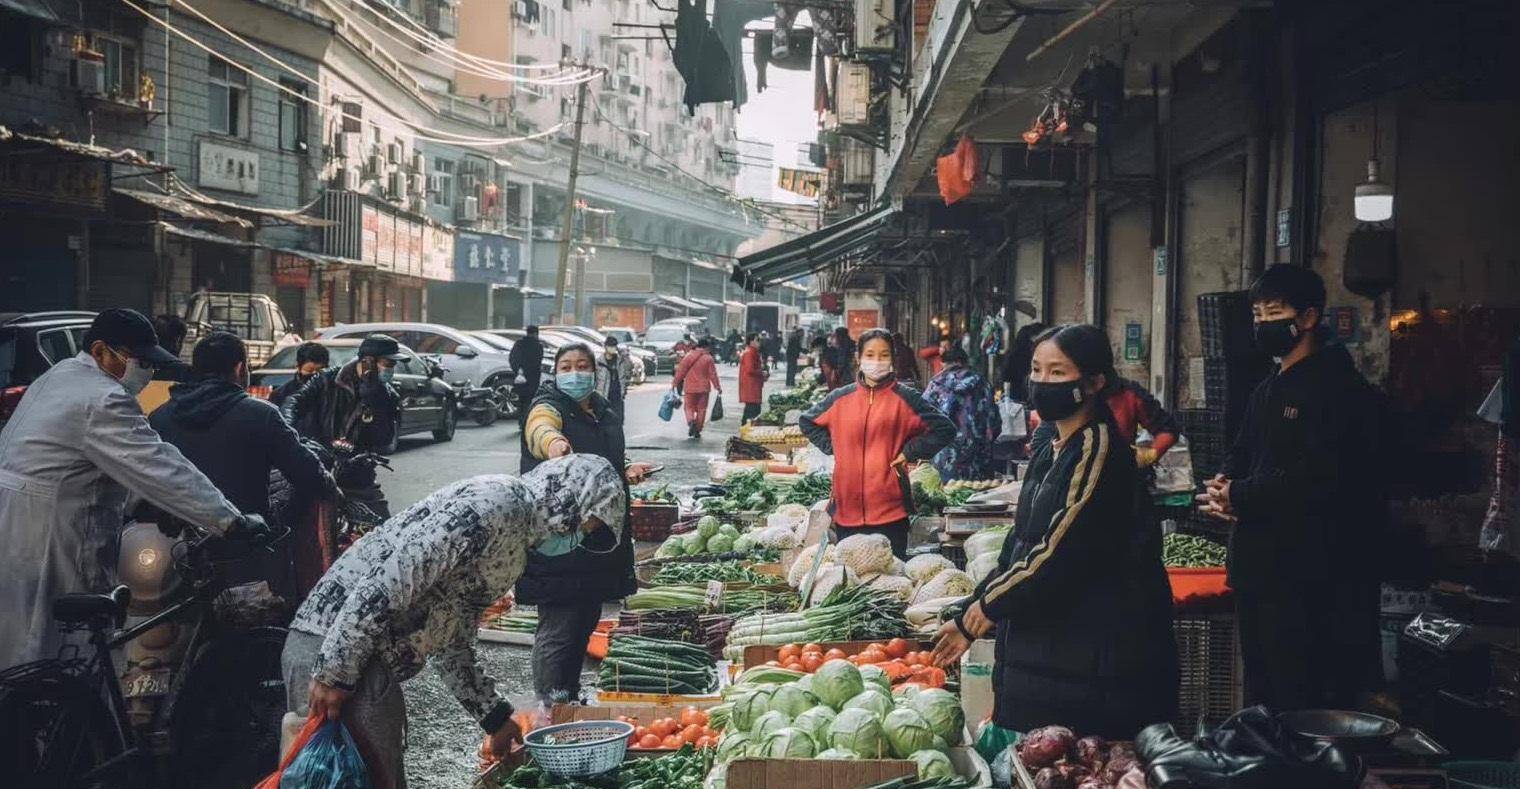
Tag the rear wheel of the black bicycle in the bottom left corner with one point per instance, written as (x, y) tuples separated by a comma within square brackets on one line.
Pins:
[(55, 729)]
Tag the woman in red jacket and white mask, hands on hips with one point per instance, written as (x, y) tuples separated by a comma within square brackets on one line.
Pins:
[(875, 428)]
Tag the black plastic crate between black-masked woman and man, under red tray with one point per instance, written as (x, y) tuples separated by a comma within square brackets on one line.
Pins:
[(1211, 683)]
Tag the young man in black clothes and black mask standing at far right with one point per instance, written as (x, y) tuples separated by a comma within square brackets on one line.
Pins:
[(1303, 490)]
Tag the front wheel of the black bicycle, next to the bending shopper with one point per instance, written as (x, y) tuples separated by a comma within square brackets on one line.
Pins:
[(226, 724)]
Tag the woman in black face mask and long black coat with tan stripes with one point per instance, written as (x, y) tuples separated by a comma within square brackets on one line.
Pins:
[(1080, 604)]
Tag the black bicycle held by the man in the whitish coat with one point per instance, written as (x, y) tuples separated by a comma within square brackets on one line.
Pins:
[(209, 721)]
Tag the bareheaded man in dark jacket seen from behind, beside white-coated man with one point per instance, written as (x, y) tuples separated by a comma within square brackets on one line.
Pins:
[(236, 440)]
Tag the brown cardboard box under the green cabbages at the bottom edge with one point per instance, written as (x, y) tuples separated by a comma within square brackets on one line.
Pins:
[(844, 775)]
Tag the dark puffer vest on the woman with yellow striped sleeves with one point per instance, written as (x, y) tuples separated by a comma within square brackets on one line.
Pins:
[(595, 571)]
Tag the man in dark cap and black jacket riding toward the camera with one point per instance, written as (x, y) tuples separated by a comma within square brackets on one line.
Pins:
[(358, 407)]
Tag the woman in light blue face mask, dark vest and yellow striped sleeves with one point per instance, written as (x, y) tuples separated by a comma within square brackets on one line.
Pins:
[(571, 578)]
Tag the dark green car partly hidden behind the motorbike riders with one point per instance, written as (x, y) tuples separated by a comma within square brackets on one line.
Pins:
[(428, 405)]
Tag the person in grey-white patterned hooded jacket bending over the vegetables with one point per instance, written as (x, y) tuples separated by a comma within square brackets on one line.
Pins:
[(416, 588)]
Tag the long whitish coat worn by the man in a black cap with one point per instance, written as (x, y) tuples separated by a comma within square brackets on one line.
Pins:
[(75, 449)]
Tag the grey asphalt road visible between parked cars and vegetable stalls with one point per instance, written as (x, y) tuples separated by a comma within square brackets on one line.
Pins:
[(442, 741)]
